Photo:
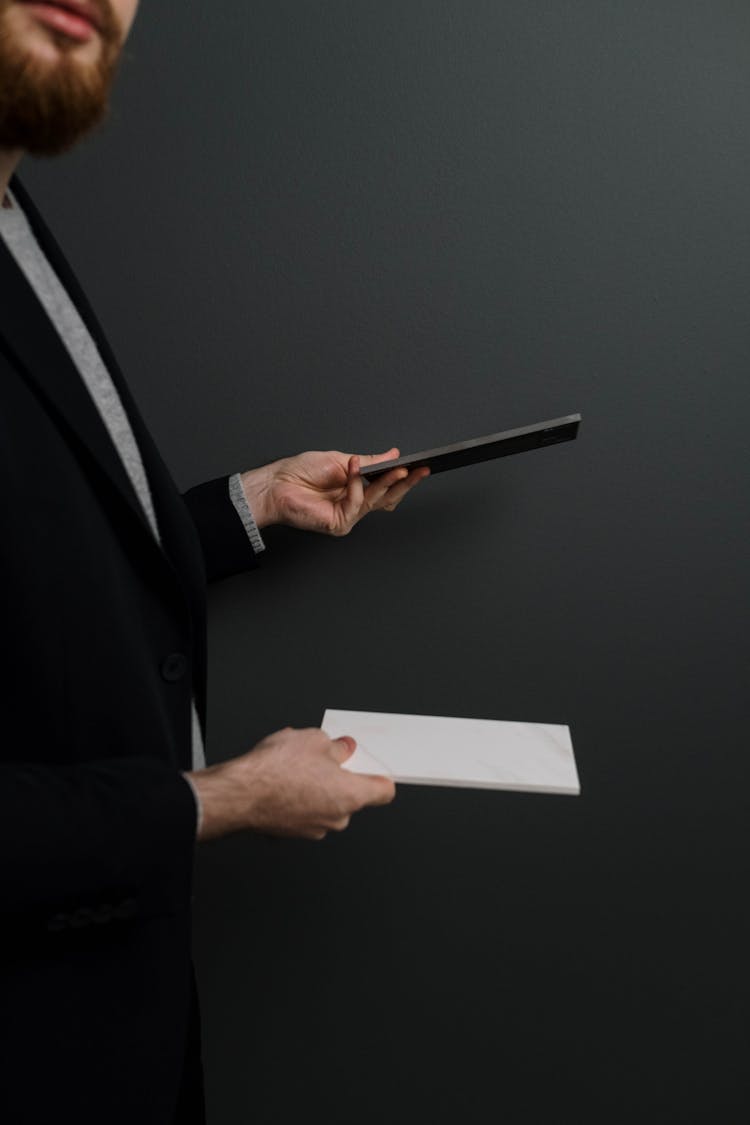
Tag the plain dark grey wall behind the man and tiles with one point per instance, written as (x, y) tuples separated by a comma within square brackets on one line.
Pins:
[(350, 224)]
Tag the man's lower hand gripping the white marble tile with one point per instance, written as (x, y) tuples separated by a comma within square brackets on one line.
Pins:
[(291, 785)]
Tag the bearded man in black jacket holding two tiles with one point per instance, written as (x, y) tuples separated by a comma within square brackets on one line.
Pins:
[(103, 568)]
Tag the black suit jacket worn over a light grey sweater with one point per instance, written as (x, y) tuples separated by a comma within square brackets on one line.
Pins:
[(104, 642)]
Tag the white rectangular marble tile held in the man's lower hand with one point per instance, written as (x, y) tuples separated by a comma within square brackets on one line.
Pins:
[(424, 750)]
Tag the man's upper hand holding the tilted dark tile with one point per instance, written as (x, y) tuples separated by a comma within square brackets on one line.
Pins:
[(324, 492)]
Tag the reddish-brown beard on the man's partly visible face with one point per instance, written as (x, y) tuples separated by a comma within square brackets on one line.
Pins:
[(46, 105)]
